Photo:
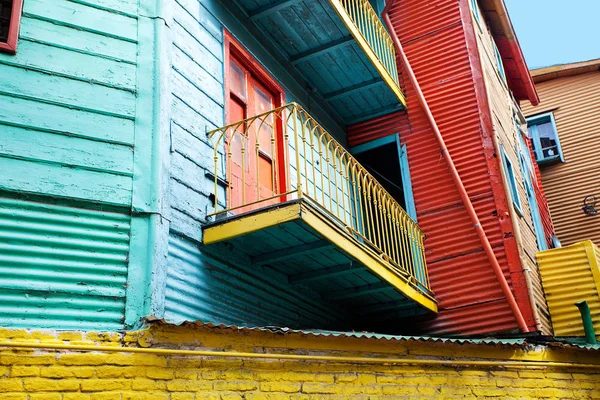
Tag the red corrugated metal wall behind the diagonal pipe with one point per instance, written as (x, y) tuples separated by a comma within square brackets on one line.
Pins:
[(471, 302)]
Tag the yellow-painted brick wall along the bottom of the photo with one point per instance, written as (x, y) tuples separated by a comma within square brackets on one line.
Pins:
[(74, 375)]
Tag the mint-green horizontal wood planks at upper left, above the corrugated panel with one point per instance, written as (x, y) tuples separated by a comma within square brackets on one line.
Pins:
[(68, 110)]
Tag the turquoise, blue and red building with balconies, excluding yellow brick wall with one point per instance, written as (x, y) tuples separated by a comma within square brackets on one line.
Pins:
[(269, 165)]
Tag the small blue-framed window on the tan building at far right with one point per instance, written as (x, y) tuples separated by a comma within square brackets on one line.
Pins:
[(544, 139)]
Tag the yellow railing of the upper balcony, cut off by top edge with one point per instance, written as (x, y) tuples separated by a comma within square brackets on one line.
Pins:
[(367, 29)]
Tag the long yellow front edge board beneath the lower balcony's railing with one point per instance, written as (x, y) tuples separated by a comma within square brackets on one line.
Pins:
[(371, 261)]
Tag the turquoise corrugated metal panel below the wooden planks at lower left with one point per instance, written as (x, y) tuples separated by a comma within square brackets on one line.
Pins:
[(62, 266)]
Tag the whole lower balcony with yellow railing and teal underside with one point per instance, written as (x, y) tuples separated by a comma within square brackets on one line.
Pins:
[(289, 197)]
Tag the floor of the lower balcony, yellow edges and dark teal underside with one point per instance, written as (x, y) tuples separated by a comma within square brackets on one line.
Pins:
[(300, 240)]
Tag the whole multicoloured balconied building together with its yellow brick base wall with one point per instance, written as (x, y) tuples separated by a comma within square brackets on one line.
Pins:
[(221, 199)]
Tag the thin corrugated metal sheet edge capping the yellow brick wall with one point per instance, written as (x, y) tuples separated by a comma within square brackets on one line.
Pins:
[(515, 342)]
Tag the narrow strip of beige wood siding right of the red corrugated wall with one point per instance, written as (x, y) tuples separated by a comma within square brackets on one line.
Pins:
[(502, 107)]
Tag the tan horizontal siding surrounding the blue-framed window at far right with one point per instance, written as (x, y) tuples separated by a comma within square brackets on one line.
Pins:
[(574, 101)]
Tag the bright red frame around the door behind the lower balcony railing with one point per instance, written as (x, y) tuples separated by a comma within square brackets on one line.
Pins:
[(234, 50)]
